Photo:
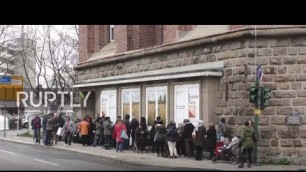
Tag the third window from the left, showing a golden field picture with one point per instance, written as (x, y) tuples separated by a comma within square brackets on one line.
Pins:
[(156, 104)]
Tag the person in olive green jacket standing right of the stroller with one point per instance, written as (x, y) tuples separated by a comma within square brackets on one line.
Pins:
[(248, 144)]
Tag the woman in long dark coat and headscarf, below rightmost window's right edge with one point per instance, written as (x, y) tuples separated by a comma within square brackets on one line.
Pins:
[(200, 131)]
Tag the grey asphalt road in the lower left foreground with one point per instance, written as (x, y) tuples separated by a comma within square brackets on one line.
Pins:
[(14, 156)]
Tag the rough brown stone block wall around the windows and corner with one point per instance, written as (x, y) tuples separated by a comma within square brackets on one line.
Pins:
[(283, 60)]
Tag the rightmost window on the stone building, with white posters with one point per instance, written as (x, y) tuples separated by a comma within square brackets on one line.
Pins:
[(186, 102)]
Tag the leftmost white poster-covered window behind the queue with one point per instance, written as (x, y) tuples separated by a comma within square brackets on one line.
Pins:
[(108, 104)]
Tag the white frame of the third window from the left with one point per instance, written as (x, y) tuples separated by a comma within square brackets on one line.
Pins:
[(156, 103)]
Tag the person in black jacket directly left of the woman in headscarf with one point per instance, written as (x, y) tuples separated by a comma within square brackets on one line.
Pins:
[(187, 136)]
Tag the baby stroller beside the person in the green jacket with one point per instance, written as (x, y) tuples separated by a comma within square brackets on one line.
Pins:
[(228, 152)]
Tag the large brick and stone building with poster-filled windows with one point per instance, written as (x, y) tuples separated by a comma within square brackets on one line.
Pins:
[(198, 72)]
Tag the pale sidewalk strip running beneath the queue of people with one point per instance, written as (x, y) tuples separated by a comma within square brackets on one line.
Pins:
[(151, 159)]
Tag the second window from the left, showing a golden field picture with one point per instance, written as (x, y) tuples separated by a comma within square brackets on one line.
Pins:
[(131, 103)]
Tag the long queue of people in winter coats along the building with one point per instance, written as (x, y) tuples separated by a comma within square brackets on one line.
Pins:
[(173, 141)]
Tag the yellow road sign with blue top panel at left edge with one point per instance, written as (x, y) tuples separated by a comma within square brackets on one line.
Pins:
[(9, 86)]
